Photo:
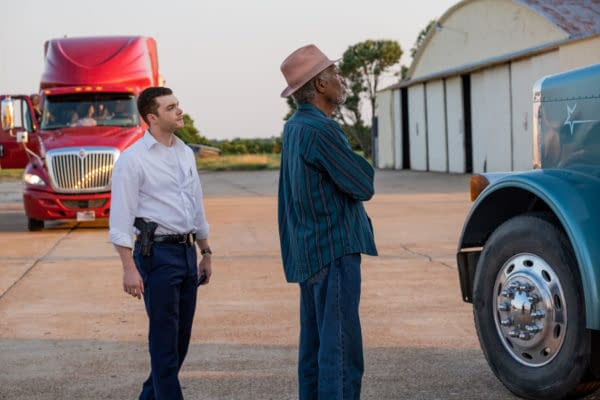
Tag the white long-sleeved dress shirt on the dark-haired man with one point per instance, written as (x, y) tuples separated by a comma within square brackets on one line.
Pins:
[(157, 183)]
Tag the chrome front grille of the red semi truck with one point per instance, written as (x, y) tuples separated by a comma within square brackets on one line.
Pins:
[(81, 170)]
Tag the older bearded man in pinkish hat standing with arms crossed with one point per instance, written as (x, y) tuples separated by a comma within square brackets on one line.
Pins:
[(323, 228)]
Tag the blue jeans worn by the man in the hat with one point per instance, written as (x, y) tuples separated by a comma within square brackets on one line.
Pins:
[(330, 360)]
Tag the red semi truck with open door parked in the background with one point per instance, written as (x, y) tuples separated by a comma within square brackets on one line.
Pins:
[(89, 116)]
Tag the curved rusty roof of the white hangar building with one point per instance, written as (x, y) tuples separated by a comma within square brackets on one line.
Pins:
[(576, 18)]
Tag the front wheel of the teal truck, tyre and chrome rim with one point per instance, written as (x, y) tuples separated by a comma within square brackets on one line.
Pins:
[(529, 310)]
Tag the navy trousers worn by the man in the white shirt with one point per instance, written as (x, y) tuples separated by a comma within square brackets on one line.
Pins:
[(170, 276)]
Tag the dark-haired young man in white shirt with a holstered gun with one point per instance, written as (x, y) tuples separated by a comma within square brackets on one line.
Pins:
[(155, 186)]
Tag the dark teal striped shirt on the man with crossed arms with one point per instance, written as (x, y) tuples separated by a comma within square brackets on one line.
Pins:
[(322, 184)]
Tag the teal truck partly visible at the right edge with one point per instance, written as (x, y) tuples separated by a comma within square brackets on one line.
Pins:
[(529, 253)]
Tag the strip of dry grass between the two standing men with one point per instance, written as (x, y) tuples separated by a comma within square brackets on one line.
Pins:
[(241, 162)]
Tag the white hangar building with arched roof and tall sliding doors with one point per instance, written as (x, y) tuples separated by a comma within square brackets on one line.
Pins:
[(466, 106)]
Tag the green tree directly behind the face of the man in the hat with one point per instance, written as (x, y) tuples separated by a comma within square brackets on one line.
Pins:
[(362, 67)]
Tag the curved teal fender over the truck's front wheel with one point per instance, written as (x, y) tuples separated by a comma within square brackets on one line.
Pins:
[(570, 196)]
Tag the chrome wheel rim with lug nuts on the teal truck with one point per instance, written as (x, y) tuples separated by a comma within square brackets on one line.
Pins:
[(530, 310)]
